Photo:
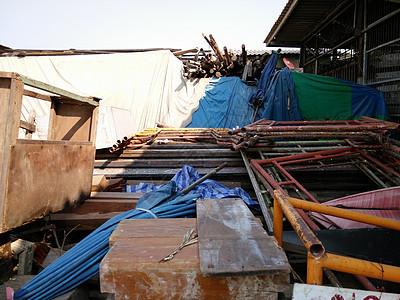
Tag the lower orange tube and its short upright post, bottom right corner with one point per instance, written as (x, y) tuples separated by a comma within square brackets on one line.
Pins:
[(349, 265)]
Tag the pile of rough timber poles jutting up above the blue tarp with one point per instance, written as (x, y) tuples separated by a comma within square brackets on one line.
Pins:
[(223, 63)]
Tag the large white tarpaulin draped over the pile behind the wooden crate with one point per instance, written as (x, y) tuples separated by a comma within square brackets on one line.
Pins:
[(137, 89)]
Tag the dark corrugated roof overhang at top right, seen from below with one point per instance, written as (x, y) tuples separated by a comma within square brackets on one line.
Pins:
[(297, 20)]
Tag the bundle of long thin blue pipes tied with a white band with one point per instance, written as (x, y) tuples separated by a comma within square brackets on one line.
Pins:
[(82, 261)]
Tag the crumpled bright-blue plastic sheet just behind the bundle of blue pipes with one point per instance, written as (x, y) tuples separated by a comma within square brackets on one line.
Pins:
[(208, 189)]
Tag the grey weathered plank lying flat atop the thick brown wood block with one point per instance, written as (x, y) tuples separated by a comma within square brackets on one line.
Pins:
[(232, 242)]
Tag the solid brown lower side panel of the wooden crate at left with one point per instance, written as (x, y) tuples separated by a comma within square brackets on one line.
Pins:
[(46, 176)]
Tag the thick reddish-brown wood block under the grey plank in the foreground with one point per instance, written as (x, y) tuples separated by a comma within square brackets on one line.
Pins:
[(131, 268)]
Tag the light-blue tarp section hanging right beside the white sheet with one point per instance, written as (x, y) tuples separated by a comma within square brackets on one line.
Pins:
[(224, 104)]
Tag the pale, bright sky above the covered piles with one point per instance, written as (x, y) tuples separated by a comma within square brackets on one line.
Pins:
[(124, 24)]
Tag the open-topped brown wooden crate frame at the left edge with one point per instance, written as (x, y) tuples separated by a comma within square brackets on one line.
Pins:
[(42, 176)]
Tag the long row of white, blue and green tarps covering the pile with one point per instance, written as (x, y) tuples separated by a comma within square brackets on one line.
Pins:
[(141, 89)]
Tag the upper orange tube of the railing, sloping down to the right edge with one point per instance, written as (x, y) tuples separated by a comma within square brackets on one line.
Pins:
[(346, 214)]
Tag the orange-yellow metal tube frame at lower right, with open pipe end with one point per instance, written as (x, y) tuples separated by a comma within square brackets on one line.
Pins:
[(317, 257)]
